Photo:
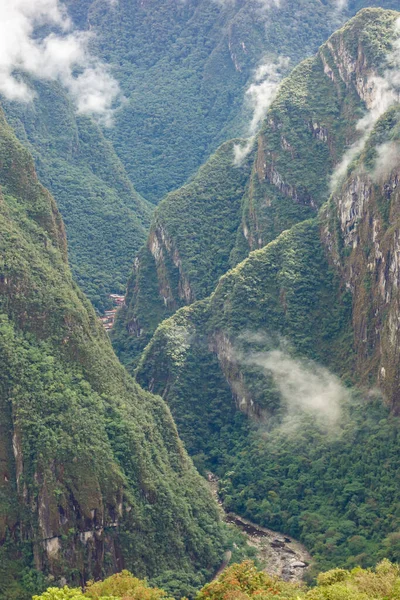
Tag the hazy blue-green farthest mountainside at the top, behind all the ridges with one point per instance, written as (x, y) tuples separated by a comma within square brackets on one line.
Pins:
[(184, 67)]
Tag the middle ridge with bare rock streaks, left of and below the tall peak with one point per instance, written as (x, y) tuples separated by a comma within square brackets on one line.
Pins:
[(188, 249)]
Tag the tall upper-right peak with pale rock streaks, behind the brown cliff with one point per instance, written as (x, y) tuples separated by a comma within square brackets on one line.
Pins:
[(308, 127)]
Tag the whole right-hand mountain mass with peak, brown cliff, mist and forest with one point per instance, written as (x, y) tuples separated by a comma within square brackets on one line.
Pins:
[(285, 378)]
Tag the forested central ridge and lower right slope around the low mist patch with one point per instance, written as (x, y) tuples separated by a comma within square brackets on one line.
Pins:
[(299, 476)]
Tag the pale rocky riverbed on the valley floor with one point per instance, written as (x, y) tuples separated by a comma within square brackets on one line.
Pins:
[(281, 555)]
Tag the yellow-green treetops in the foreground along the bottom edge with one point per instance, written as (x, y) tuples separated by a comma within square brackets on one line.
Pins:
[(244, 582)]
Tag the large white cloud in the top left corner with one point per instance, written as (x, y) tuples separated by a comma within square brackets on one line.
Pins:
[(62, 55)]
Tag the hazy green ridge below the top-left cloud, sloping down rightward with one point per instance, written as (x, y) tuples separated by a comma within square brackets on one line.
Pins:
[(106, 219)]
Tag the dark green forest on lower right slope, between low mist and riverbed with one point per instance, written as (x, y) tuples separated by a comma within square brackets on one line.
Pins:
[(319, 487)]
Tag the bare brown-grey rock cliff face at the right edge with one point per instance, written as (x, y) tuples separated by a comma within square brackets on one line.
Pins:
[(364, 248)]
